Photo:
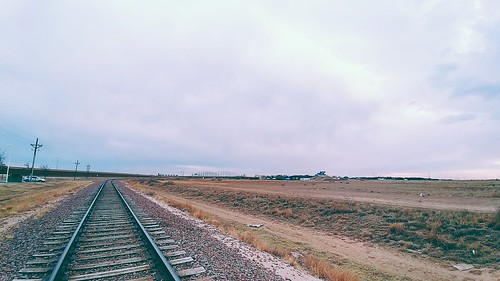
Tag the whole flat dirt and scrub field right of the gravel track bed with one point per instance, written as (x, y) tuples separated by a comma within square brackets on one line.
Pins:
[(400, 230)]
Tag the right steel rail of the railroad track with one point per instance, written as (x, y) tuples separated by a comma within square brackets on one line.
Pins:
[(162, 263)]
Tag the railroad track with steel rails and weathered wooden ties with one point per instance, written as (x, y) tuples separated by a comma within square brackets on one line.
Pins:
[(109, 241)]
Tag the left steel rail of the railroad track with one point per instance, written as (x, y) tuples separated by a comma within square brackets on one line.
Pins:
[(64, 258)]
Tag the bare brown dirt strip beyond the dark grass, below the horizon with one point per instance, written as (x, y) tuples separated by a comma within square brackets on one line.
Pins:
[(475, 196)]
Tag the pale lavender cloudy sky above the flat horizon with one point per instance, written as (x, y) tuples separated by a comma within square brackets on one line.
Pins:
[(353, 88)]
